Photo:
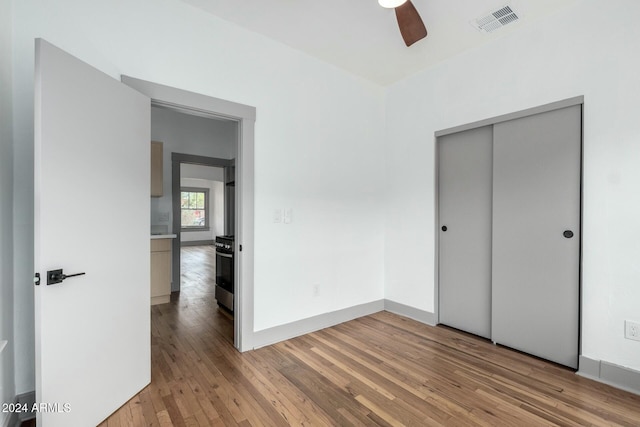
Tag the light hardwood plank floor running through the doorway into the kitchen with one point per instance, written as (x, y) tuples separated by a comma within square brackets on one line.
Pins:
[(381, 369)]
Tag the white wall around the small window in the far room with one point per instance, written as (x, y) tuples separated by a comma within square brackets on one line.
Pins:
[(216, 202)]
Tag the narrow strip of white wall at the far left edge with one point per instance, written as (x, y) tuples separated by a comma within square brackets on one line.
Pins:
[(7, 385)]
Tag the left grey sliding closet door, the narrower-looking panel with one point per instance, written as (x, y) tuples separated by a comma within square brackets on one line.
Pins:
[(464, 189)]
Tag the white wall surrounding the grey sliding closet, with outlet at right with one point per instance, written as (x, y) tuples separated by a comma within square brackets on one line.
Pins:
[(589, 49)]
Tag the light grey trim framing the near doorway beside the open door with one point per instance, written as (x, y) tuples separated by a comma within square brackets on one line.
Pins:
[(203, 105)]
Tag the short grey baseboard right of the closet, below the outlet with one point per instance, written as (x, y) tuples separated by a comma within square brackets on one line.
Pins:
[(608, 373)]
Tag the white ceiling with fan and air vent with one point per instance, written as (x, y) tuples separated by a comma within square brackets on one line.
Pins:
[(363, 38)]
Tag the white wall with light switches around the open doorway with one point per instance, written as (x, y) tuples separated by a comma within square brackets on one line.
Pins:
[(318, 142)]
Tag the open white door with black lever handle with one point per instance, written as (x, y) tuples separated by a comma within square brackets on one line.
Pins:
[(91, 215)]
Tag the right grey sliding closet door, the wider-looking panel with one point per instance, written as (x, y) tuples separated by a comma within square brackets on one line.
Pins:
[(536, 234)]
